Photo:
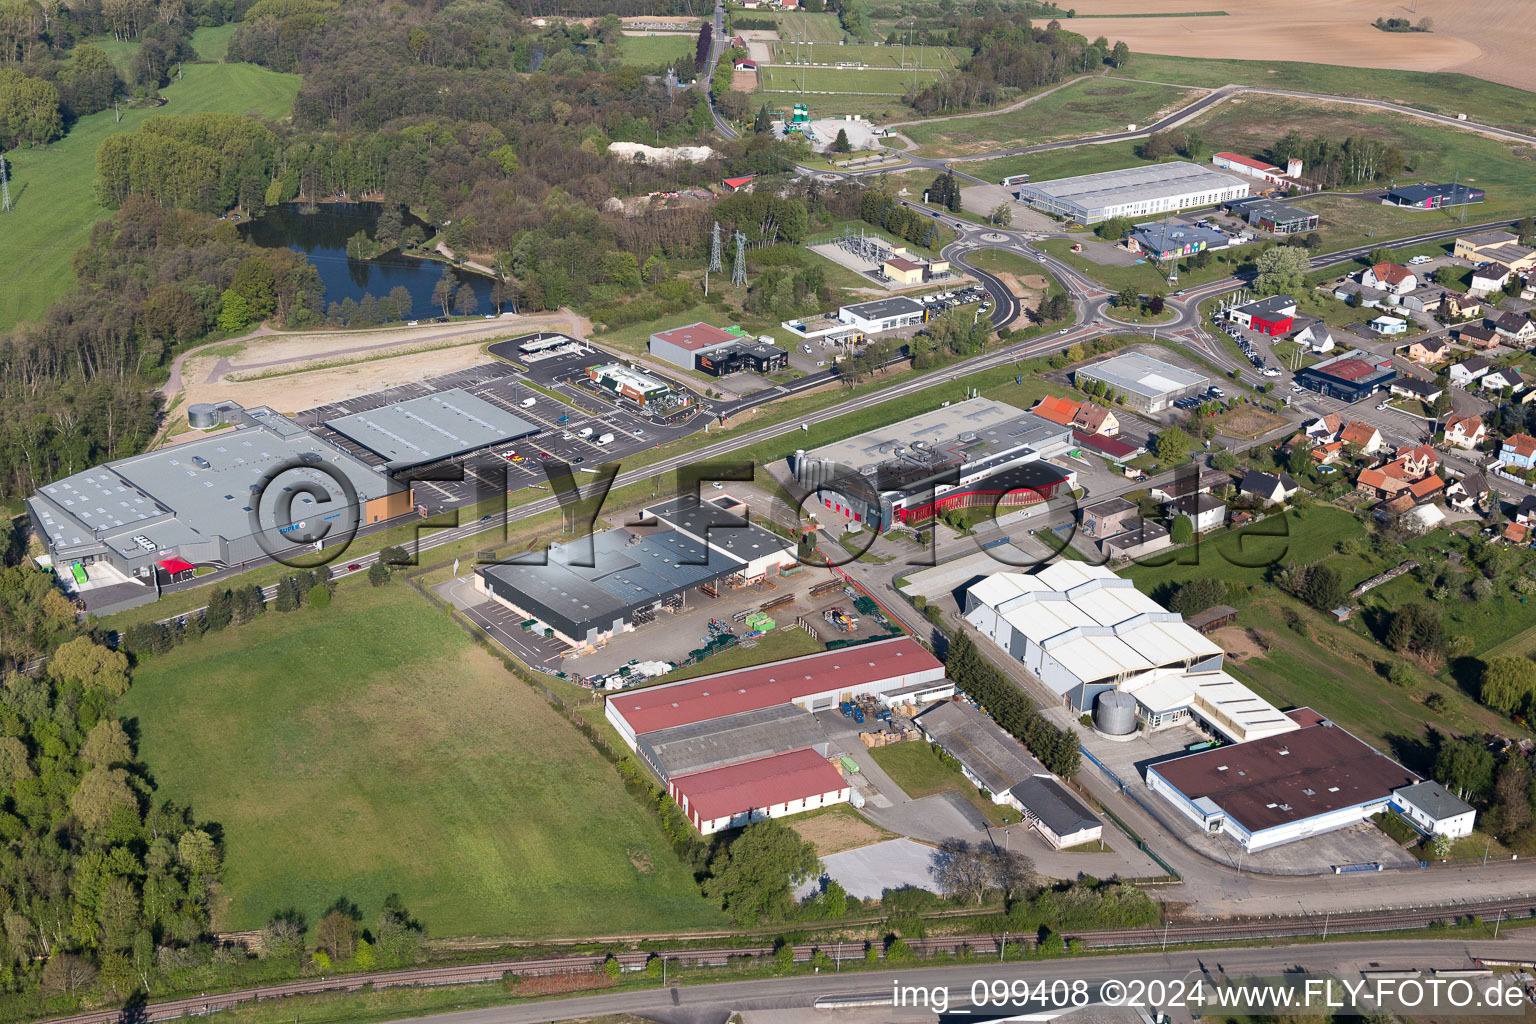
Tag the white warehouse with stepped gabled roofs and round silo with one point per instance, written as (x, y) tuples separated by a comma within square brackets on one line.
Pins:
[(1094, 639)]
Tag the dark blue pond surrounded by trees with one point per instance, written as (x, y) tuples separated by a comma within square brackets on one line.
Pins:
[(323, 236)]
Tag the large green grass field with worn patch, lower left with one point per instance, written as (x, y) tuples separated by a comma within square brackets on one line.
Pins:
[(371, 748)]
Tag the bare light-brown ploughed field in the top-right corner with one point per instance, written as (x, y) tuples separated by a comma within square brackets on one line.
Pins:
[(1495, 44)]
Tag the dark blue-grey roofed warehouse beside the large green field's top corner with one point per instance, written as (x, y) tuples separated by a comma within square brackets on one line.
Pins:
[(592, 590)]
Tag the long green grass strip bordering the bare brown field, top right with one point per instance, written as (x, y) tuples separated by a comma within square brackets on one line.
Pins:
[(1440, 93)]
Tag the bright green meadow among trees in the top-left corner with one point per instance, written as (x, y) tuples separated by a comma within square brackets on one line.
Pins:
[(55, 188)]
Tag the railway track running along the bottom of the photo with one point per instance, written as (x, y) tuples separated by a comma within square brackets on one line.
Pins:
[(1191, 933)]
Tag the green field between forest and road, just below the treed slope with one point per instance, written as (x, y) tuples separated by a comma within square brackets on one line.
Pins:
[(1084, 108)]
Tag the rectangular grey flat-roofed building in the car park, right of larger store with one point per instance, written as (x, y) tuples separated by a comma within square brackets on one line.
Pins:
[(432, 428)]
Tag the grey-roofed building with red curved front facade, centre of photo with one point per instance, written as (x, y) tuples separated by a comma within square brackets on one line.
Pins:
[(972, 454)]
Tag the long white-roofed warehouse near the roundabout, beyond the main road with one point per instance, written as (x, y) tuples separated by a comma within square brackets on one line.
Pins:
[(1133, 193)]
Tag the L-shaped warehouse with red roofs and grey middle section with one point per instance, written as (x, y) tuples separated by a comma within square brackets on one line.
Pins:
[(746, 745)]
